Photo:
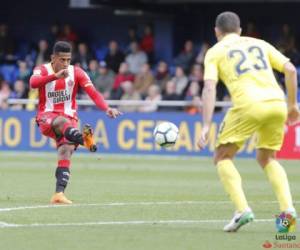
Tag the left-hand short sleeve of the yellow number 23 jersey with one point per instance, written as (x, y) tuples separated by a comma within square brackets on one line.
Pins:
[(211, 66)]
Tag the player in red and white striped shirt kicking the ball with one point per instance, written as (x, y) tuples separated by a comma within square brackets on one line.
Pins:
[(58, 83)]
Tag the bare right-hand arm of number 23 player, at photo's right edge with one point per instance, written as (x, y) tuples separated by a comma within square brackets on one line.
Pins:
[(290, 74)]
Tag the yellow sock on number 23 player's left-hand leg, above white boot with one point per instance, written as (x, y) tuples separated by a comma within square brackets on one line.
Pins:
[(232, 183)]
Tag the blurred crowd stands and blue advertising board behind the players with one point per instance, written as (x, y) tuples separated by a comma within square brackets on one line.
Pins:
[(145, 57)]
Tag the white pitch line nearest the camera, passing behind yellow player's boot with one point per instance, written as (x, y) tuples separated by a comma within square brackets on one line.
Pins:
[(114, 223)]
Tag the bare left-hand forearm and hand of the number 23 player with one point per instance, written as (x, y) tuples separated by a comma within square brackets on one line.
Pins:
[(208, 99)]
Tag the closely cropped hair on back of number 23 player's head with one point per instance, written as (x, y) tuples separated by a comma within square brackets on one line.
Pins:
[(228, 22)]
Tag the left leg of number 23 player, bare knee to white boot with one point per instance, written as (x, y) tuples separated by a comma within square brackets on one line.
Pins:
[(232, 183)]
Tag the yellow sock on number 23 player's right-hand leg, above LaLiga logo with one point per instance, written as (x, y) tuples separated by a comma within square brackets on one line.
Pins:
[(280, 184)]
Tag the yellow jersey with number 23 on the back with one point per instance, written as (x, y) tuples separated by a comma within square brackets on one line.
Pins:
[(245, 65)]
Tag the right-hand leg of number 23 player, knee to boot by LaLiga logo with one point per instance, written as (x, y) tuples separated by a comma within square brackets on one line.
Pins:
[(280, 184)]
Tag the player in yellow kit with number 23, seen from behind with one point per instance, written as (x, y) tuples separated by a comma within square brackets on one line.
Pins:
[(245, 65)]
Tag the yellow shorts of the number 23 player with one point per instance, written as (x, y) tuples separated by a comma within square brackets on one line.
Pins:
[(266, 119)]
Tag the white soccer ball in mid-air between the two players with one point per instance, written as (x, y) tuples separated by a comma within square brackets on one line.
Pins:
[(165, 134)]
